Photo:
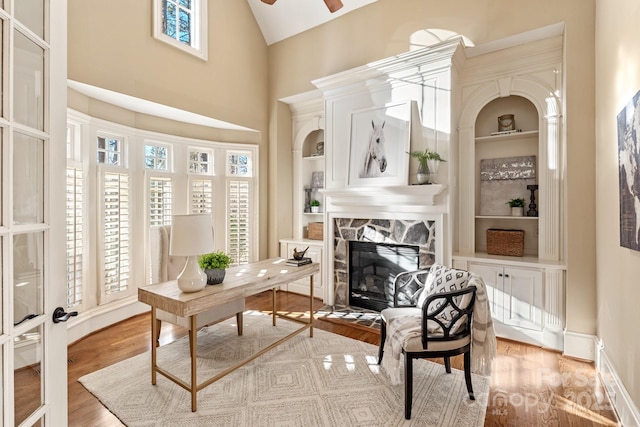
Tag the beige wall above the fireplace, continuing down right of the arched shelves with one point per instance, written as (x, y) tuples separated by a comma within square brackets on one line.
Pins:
[(382, 29)]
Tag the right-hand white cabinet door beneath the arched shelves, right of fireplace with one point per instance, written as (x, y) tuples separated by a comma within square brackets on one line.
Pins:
[(523, 298)]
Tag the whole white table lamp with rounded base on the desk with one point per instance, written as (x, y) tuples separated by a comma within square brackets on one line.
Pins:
[(191, 236)]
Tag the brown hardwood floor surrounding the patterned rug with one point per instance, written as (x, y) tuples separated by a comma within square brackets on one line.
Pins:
[(529, 386)]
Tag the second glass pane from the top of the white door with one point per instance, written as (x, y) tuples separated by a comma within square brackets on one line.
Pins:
[(28, 78)]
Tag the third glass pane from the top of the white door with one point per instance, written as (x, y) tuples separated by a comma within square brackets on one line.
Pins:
[(28, 182)]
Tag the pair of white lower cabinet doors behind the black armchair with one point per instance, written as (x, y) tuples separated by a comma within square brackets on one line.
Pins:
[(515, 294)]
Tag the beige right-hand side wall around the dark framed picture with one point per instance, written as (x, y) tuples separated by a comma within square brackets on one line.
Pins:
[(618, 268)]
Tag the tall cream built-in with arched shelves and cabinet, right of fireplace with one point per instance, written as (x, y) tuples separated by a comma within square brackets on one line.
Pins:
[(526, 292)]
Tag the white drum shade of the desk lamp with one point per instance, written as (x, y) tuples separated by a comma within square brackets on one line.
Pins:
[(191, 235)]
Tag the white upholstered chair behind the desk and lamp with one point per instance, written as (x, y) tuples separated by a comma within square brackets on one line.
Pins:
[(165, 267)]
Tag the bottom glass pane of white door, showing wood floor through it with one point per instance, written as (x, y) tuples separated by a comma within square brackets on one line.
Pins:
[(27, 373)]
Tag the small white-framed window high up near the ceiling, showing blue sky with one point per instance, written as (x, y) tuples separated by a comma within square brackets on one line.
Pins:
[(182, 24)]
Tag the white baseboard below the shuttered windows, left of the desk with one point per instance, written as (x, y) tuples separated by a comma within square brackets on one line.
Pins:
[(103, 316)]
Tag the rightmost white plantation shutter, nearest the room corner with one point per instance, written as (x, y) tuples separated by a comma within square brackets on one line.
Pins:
[(239, 221)]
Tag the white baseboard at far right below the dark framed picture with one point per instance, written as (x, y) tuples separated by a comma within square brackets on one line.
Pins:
[(627, 411)]
